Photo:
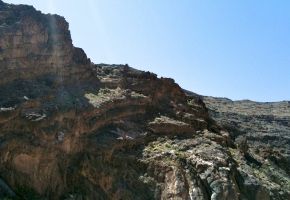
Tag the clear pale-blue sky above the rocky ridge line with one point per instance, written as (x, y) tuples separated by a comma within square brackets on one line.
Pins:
[(234, 49)]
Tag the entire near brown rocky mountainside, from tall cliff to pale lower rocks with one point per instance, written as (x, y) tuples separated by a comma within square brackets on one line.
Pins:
[(70, 129)]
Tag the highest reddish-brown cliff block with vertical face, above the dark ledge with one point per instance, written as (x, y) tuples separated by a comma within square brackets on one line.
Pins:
[(33, 44)]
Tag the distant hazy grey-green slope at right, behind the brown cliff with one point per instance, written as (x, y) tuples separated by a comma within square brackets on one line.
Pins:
[(262, 130)]
